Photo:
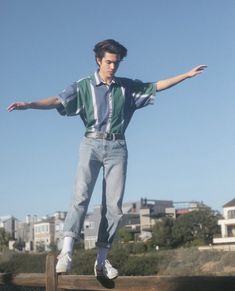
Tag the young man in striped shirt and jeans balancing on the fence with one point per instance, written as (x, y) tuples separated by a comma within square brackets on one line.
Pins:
[(105, 104)]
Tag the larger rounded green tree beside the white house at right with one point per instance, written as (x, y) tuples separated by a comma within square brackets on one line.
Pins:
[(196, 227)]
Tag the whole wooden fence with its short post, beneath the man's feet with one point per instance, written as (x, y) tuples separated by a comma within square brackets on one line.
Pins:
[(53, 282)]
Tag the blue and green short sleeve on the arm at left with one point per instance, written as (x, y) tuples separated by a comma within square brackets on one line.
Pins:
[(70, 101)]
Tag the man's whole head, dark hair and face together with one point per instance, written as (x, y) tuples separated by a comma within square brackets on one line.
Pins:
[(108, 55)]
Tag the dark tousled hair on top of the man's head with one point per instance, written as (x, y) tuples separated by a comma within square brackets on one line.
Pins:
[(110, 46)]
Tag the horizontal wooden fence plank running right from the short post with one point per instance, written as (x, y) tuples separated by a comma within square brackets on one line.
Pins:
[(148, 283)]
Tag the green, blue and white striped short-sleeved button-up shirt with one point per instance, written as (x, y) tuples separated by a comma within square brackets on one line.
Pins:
[(105, 108)]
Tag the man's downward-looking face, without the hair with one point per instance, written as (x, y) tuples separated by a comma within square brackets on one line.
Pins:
[(108, 65)]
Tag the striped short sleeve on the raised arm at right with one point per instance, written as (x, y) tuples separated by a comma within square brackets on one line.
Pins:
[(143, 93)]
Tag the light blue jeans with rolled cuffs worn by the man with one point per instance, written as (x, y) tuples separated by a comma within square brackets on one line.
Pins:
[(94, 155)]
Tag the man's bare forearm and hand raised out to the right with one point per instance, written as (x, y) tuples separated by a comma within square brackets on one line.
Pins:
[(167, 83)]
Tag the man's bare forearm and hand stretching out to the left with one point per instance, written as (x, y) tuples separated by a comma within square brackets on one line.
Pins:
[(48, 103)]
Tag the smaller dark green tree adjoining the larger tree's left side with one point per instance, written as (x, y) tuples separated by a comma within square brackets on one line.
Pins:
[(162, 232)]
